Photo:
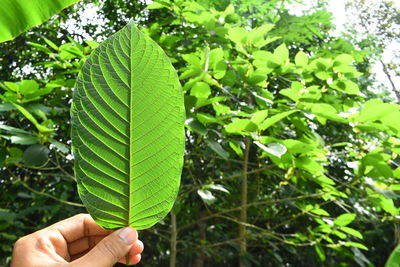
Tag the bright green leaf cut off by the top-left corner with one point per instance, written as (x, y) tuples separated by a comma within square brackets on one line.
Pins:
[(18, 16)]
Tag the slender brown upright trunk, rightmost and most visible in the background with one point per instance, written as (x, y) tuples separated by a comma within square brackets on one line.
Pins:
[(243, 205)]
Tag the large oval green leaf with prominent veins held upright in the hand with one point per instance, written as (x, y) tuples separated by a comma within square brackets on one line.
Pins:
[(127, 131)]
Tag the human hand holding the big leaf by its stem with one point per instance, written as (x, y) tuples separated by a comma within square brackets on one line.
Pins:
[(77, 241)]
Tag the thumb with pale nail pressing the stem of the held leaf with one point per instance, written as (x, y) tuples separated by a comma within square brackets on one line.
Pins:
[(111, 249)]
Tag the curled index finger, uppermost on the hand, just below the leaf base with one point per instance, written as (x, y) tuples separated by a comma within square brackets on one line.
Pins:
[(79, 226)]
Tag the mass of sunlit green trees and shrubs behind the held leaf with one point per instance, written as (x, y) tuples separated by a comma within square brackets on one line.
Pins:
[(291, 145)]
